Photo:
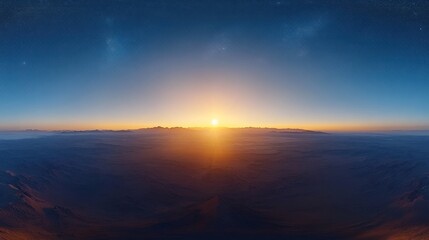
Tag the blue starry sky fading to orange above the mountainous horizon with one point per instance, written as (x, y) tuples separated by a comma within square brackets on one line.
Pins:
[(322, 65)]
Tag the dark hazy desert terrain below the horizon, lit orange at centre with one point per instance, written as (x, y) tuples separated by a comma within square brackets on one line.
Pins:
[(214, 184)]
